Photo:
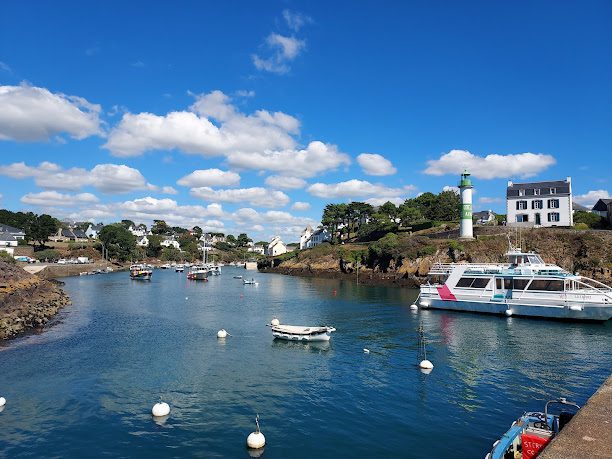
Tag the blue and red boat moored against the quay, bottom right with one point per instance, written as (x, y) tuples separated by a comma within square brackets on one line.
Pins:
[(530, 434)]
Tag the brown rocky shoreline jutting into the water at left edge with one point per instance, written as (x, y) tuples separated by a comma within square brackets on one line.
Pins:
[(27, 302)]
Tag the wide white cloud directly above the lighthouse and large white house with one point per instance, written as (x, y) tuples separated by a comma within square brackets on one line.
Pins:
[(491, 166)]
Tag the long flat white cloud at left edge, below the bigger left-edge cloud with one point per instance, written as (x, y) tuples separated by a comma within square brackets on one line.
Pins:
[(107, 178)]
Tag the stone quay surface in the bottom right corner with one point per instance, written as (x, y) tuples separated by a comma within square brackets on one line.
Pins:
[(589, 433)]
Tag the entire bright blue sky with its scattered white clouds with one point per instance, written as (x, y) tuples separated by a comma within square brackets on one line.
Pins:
[(251, 116)]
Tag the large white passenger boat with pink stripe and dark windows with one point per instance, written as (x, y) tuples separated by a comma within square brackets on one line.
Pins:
[(525, 286)]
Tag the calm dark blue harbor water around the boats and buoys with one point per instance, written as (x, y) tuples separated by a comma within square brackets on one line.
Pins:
[(85, 387)]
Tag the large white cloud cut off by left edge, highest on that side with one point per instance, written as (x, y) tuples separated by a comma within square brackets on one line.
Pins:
[(29, 113)]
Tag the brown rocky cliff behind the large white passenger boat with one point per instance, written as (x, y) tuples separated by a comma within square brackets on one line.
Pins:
[(408, 262)]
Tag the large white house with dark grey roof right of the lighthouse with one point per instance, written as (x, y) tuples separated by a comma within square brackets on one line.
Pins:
[(540, 203)]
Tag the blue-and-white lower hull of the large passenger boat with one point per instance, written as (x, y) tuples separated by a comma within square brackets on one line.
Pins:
[(575, 312)]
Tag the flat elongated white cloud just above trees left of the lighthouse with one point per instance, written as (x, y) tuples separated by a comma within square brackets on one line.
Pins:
[(358, 189)]
